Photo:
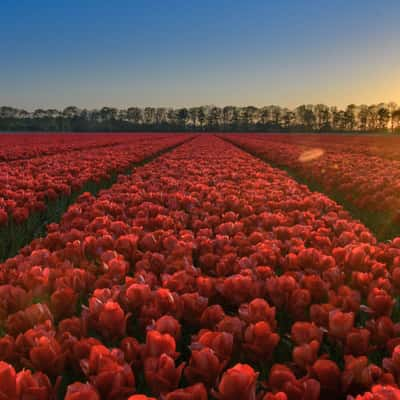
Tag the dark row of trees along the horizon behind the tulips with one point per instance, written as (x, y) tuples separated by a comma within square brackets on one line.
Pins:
[(304, 118)]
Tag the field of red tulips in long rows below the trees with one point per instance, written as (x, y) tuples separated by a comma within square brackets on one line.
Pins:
[(180, 267)]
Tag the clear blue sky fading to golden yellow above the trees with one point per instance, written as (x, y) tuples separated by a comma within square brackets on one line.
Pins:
[(120, 53)]
